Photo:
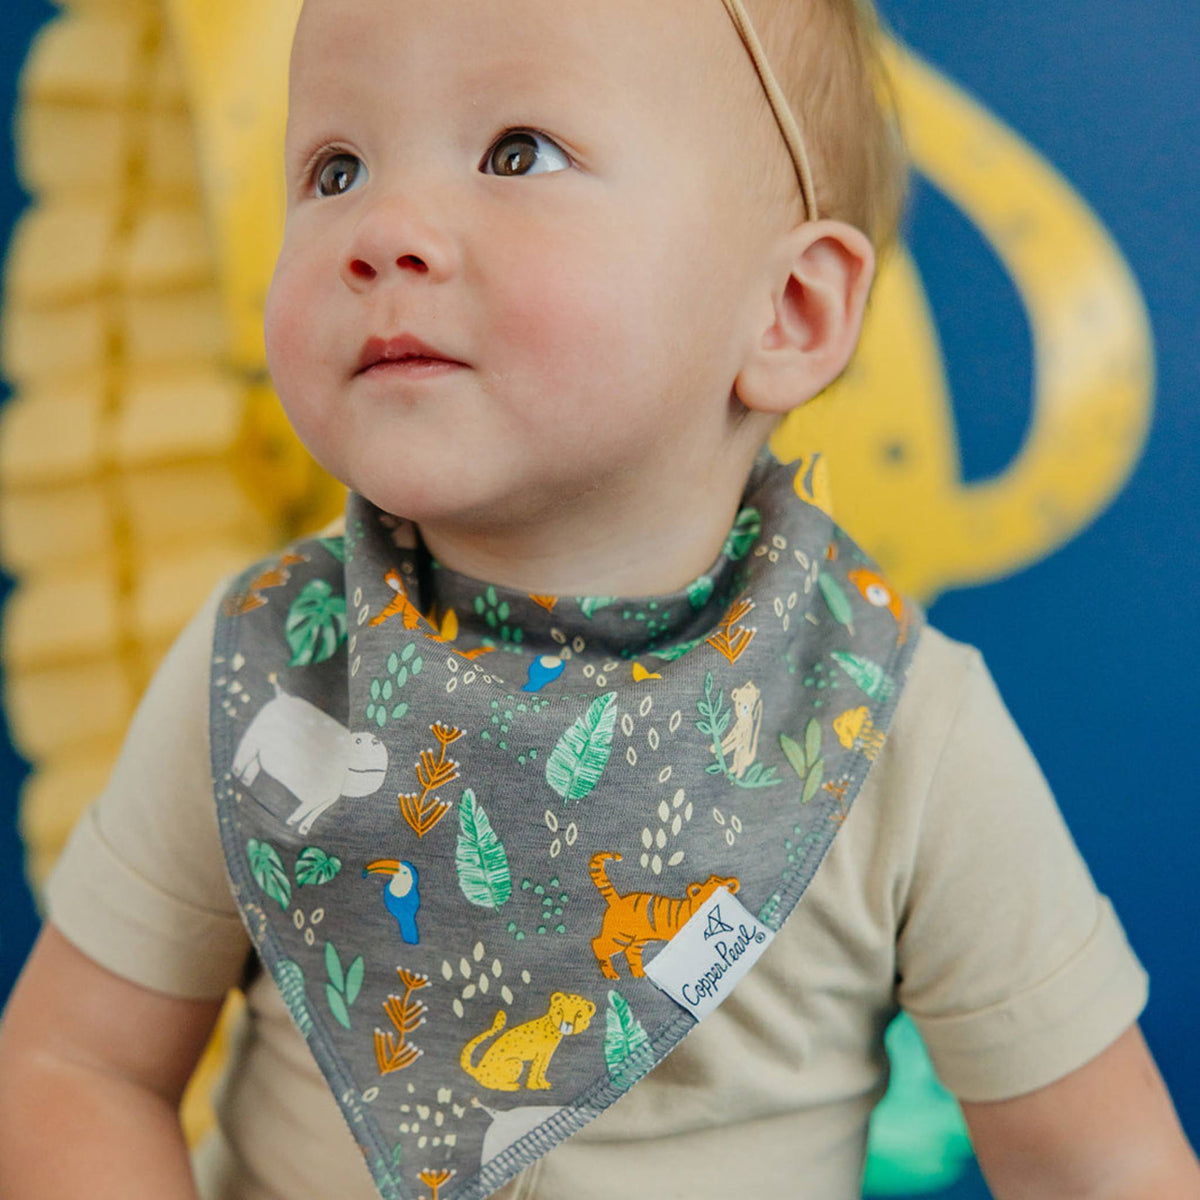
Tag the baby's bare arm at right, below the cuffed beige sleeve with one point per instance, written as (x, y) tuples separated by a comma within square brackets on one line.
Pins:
[(1106, 1131)]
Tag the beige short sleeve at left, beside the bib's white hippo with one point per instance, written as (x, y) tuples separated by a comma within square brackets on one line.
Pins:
[(142, 886)]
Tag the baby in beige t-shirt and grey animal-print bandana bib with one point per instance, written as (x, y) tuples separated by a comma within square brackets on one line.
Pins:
[(455, 814)]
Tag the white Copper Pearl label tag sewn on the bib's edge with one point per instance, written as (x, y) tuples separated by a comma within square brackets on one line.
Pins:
[(706, 961)]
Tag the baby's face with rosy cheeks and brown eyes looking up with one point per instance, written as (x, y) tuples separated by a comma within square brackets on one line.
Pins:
[(542, 201)]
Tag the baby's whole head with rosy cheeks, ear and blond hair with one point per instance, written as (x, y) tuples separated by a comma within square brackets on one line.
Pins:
[(583, 225)]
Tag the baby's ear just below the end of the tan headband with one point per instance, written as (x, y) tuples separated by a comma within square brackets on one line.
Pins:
[(808, 317)]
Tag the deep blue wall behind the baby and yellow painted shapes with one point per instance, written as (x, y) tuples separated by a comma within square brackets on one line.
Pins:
[(1096, 649)]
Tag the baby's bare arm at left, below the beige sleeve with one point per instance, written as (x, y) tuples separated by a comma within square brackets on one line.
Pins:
[(92, 1072)]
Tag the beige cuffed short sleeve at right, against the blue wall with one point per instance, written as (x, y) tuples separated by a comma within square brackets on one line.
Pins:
[(1013, 967)]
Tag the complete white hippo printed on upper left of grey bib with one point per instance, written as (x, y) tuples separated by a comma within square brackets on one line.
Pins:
[(314, 757)]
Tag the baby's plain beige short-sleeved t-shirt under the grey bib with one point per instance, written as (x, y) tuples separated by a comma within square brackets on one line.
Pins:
[(953, 890)]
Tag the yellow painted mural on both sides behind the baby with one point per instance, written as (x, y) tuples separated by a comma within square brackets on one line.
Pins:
[(145, 457)]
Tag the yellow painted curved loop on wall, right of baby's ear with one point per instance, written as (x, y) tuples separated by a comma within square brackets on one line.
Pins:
[(889, 428)]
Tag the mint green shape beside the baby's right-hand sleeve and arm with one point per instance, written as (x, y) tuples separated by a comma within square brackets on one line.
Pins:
[(919, 1142)]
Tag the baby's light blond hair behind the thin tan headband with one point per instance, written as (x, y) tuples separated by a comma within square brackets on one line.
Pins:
[(829, 61)]
